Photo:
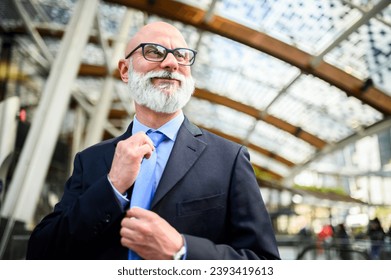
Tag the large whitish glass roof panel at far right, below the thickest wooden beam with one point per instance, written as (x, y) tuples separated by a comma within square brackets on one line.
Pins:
[(323, 110)]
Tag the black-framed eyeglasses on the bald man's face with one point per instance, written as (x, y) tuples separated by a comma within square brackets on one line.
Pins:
[(157, 53)]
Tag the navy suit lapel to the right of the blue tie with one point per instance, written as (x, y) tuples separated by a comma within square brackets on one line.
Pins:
[(184, 154)]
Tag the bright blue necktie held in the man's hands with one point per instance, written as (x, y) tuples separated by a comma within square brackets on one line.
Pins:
[(145, 185)]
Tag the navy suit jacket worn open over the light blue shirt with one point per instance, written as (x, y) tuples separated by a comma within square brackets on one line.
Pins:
[(208, 192)]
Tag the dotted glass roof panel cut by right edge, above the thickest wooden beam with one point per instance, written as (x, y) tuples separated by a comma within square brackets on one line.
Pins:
[(366, 53)]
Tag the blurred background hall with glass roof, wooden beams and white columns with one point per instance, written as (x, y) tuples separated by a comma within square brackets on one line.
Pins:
[(305, 85)]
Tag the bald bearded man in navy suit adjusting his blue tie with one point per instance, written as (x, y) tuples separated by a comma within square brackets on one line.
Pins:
[(206, 203)]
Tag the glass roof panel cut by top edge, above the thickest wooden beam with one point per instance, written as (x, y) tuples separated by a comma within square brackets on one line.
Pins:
[(310, 25)]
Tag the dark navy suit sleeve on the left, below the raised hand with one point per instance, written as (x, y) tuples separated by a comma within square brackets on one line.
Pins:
[(80, 221)]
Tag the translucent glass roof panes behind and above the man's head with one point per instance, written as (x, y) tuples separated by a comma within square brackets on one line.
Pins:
[(259, 85)]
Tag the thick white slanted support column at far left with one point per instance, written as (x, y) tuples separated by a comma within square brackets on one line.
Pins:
[(31, 170)]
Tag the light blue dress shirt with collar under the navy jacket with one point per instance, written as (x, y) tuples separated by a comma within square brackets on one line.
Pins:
[(170, 129)]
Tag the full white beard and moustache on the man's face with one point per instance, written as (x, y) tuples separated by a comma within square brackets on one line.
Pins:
[(145, 93)]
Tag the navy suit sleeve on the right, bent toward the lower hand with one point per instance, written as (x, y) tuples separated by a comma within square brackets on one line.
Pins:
[(251, 235)]
